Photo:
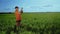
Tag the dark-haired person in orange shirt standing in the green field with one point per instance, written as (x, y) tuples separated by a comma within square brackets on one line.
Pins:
[(18, 19)]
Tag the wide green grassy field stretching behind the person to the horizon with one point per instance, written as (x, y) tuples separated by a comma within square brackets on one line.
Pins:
[(32, 23)]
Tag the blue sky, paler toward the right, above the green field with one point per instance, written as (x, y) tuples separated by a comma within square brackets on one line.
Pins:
[(30, 5)]
